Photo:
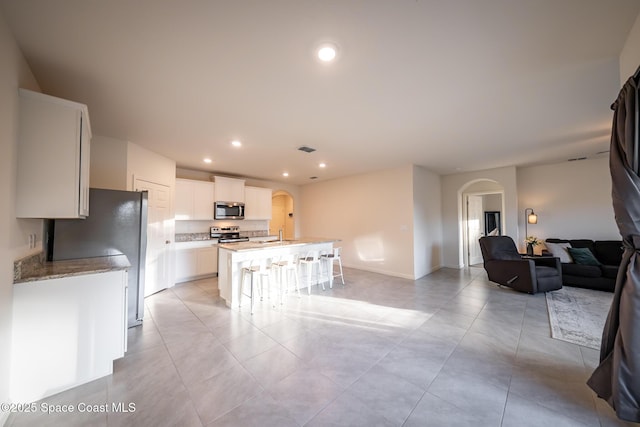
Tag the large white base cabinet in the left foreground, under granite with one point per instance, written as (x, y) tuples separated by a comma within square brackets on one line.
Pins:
[(66, 332)]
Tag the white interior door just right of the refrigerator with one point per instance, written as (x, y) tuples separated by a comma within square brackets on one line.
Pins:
[(160, 230)]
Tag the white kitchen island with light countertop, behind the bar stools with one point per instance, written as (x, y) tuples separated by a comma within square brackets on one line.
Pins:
[(233, 256)]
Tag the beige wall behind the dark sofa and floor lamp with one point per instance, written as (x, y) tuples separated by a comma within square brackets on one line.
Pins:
[(572, 200)]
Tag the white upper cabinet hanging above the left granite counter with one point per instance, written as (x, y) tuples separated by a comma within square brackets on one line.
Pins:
[(53, 157)]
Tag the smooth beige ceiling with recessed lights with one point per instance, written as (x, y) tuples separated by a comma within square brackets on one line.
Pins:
[(452, 86)]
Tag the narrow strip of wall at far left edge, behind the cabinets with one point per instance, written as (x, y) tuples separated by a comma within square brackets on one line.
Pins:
[(14, 73)]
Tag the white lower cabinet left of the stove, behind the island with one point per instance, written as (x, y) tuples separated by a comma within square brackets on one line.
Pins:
[(195, 260)]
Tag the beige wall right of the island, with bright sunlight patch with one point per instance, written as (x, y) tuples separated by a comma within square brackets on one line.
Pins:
[(371, 213)]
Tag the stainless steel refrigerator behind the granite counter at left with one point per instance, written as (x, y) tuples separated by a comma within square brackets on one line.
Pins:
[(117, 224)]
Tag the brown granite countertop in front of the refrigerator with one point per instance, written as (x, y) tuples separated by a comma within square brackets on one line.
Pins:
[(33, 270)]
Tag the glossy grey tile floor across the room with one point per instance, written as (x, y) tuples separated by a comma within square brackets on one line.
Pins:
[(450, 349)]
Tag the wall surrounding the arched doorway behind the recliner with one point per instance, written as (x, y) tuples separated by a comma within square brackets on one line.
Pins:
[(452, 188)]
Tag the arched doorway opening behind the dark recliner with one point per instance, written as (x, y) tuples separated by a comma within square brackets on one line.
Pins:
[(480, 201)]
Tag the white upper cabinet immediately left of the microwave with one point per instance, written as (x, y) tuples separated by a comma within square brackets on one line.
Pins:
[(194, 199)]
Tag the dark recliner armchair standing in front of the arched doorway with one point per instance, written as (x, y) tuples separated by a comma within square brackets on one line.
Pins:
[(505, 266)]
